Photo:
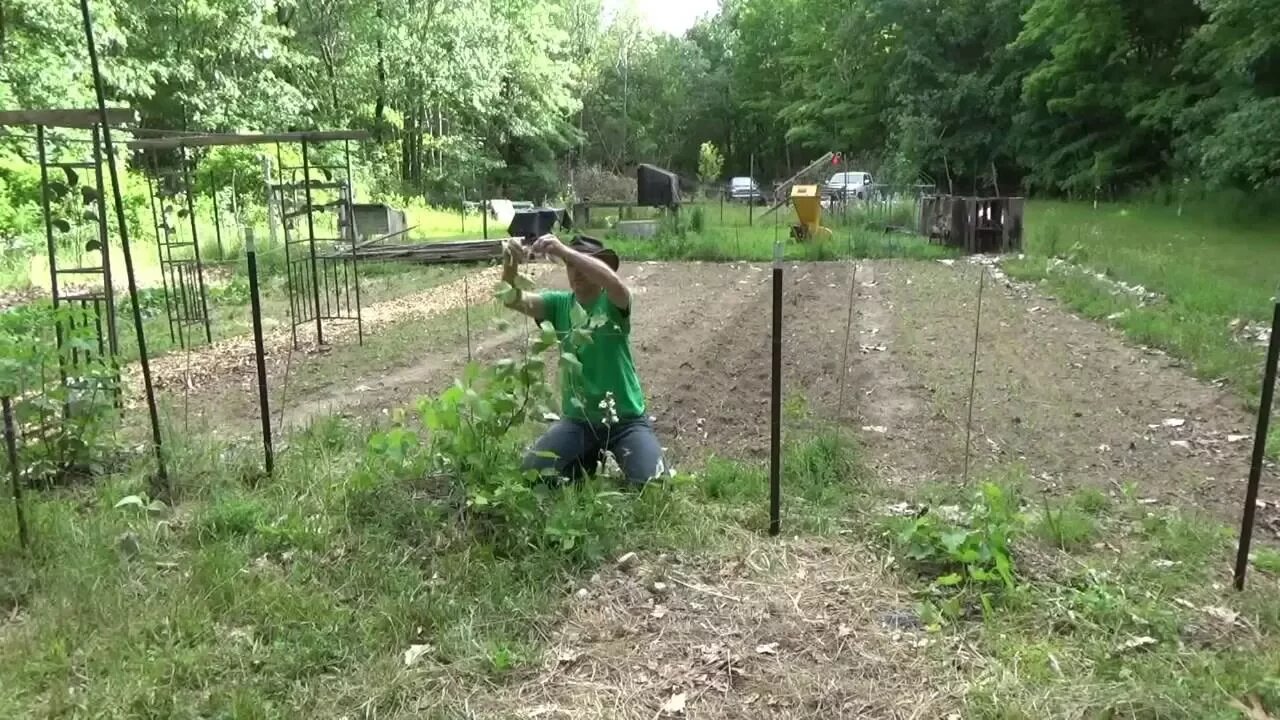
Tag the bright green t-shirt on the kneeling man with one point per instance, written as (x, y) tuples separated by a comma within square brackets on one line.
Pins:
[(607, 366)]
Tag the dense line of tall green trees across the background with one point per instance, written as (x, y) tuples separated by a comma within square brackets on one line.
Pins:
[(1063, 97)]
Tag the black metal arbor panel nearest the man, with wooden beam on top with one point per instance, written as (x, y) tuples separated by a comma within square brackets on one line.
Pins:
[(321, 286)]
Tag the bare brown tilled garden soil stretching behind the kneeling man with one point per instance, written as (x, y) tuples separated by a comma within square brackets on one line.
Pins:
[(1064, 399)]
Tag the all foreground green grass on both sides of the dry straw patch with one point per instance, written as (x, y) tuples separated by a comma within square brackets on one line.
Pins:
[(299, 595)]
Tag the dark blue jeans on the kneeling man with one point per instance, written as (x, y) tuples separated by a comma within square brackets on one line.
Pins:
[(579, 446)]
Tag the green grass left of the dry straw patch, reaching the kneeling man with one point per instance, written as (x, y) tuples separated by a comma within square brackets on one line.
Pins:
[(299, 594)]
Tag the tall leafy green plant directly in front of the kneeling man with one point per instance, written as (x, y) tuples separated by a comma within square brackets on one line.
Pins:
[(468, 444)]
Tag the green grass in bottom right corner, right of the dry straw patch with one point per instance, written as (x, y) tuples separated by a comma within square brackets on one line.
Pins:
[(1118, 612)]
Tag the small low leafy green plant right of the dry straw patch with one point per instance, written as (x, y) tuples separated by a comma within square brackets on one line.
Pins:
[(975, 552)]
